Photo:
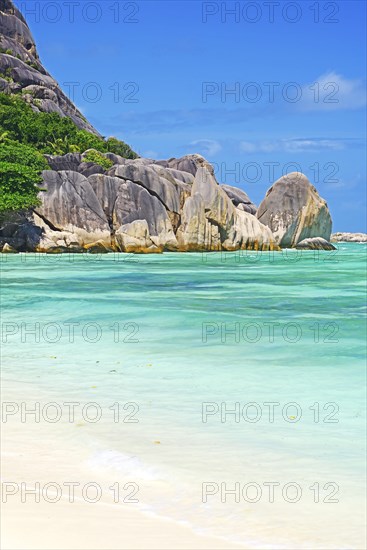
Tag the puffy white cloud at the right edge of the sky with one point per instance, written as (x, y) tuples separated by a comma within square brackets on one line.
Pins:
[(331, 92)]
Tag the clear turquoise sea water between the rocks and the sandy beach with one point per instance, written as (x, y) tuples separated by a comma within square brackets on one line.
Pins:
[(171, 332)]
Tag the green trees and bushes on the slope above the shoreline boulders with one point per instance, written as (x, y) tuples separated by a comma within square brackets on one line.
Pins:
[(25, 136)]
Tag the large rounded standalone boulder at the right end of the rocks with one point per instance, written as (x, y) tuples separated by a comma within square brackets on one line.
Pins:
[(294, 211)]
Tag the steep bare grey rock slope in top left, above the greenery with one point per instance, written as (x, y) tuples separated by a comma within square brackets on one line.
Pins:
[(25, 74)]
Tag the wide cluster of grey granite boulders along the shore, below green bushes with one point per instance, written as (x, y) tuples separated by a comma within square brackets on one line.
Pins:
[(137, 206)]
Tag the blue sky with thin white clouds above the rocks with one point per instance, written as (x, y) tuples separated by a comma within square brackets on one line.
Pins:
[(258, 88)]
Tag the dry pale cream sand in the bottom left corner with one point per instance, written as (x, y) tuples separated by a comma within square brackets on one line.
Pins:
[(93, 527)]
